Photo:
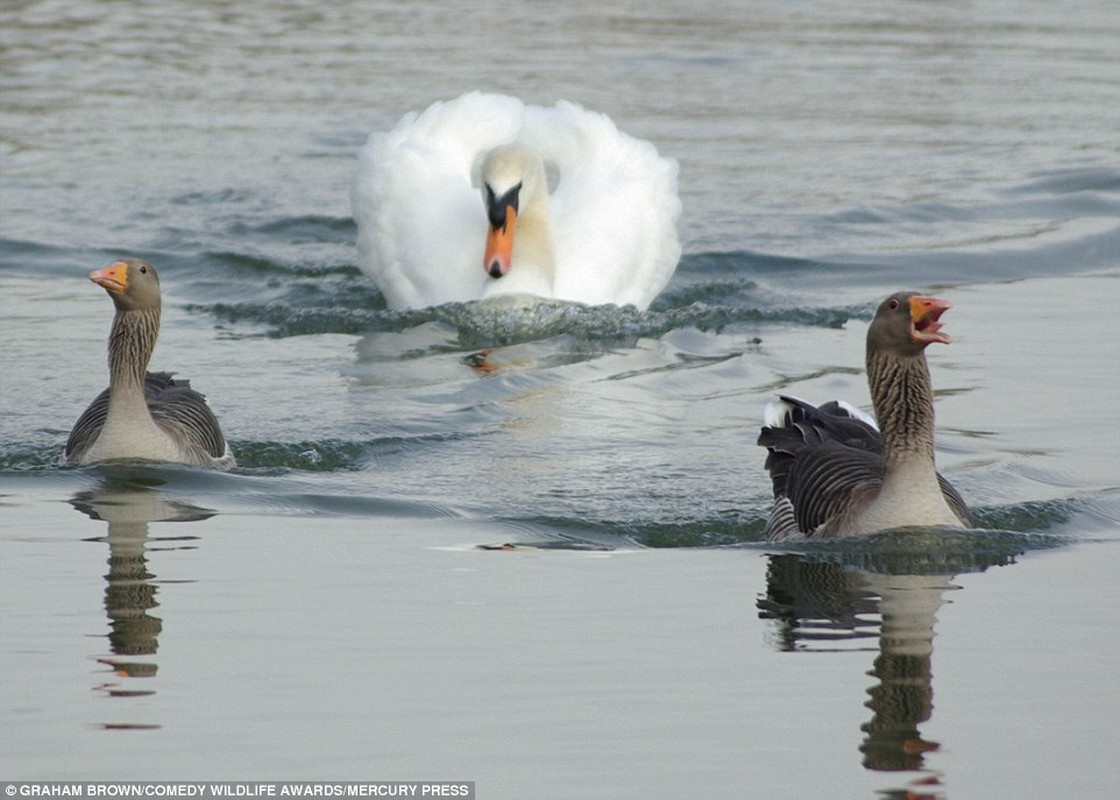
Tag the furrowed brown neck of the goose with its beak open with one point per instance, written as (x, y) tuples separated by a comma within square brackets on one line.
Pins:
[(903, 398)]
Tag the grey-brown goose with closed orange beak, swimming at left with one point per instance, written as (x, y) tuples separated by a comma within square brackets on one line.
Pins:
[(144, 415)]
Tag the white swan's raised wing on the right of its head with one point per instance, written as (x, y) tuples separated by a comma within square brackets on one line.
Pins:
[(614, 210)]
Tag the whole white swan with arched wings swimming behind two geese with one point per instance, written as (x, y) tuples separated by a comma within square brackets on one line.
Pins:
[(606, 234)]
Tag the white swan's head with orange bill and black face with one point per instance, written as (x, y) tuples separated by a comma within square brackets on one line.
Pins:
[(514, 184)]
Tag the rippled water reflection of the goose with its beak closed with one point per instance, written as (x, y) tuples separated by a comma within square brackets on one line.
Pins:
[(128, 500)]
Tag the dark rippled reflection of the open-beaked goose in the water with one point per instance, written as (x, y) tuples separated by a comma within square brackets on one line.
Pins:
[(884, 601)]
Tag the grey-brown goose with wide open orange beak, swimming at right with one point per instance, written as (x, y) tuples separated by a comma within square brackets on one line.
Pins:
[(835, 473)]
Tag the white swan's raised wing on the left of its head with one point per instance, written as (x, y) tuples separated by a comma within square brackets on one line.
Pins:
[(417, 203)]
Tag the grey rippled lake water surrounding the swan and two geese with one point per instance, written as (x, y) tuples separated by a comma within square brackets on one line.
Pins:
[(547, 578)]
